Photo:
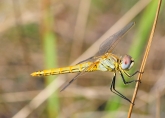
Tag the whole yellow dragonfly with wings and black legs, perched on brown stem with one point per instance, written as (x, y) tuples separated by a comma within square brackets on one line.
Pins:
[(103, 60)]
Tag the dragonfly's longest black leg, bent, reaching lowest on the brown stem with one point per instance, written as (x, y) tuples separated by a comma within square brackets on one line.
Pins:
[(112, 87)]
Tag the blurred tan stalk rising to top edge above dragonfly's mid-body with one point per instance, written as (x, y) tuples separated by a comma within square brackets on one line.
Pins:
[(80, 27)]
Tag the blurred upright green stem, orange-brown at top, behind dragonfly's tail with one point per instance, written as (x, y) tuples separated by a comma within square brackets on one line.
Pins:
[(49, 45)]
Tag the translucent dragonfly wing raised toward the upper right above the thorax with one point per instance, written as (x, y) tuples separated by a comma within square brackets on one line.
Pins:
[(110, 43)]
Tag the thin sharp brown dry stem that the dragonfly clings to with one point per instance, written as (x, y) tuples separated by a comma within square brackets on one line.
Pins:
[(145, 58)]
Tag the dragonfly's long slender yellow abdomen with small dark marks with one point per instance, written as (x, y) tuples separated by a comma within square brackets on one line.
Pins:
[(64, 70)]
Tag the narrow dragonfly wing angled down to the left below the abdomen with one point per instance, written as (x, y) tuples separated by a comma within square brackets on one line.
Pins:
[(81, 73)]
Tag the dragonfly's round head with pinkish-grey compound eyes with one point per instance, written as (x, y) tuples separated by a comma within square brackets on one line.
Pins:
[(126, 62)]
